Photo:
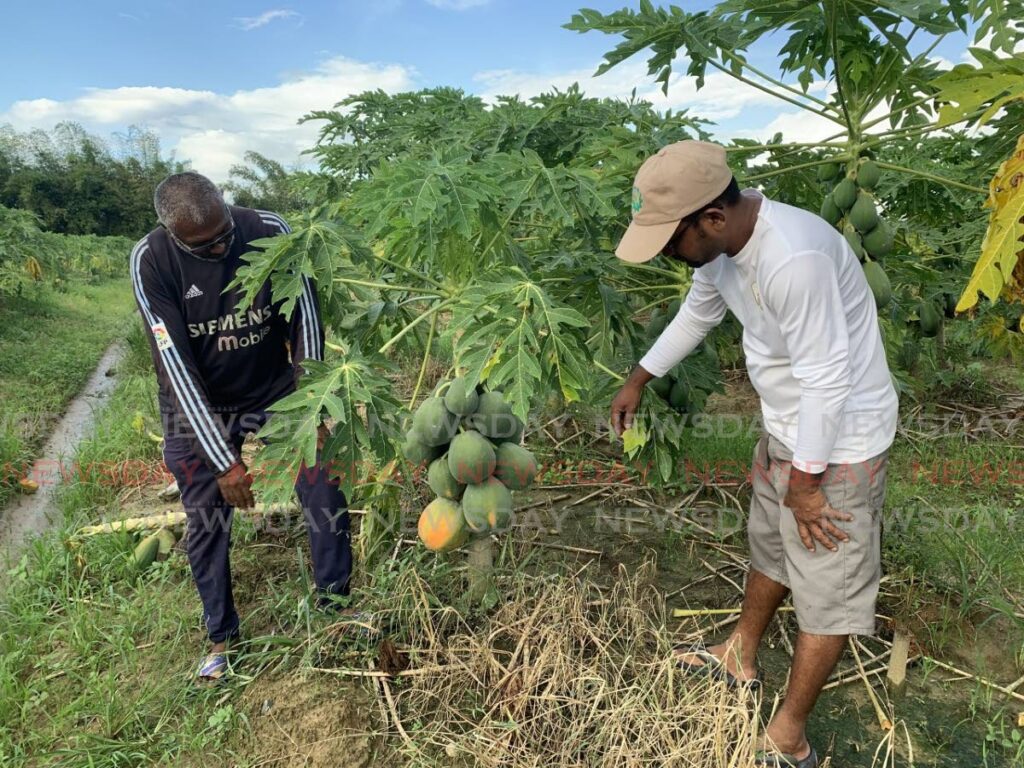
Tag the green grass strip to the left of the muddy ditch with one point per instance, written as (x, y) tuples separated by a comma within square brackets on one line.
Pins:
[(51, 344)]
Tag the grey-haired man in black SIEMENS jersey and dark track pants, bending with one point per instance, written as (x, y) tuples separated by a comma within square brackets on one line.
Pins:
[(220, 367)]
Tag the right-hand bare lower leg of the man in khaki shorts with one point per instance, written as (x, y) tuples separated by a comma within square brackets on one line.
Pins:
[(815, 659)]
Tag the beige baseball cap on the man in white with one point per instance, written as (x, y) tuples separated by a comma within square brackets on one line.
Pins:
[(670, 186)]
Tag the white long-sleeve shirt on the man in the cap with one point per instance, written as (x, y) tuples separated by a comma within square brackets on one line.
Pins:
[(812, 337)]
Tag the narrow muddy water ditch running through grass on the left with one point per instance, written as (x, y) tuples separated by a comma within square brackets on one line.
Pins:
[(29, 517)]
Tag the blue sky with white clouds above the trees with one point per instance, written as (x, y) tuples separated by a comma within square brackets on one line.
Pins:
[(216, 79)]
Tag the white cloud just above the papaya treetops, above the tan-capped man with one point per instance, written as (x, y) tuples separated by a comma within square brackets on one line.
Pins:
[(721, 99)]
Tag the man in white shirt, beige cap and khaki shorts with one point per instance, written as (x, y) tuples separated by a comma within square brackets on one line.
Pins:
[(815, 355)]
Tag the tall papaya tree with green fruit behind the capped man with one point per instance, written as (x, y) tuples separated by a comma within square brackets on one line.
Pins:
[(878, 179)]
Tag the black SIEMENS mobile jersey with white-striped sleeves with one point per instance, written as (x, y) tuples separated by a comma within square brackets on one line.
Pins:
[(215, 362)]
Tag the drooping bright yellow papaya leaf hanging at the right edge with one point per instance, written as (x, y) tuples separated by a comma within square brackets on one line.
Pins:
[(1002, 247)]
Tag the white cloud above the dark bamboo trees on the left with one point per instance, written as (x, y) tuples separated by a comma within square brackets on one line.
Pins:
[(214, 131)]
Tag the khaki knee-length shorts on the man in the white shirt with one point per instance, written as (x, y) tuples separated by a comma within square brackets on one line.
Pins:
[(834, 593)]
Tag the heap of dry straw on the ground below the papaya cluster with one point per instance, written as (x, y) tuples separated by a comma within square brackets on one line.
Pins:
[(562, 674)]
